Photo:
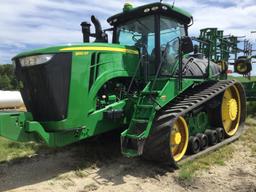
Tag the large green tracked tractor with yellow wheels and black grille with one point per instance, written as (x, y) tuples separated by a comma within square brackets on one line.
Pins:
[(173, 101)]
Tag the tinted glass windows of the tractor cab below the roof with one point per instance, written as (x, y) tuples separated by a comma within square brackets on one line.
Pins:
[(141, 33)]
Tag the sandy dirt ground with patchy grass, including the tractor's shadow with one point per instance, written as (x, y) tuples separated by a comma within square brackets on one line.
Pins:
[(97, 165)]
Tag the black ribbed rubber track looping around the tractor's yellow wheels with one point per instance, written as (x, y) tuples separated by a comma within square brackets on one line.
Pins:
[(156, 147)]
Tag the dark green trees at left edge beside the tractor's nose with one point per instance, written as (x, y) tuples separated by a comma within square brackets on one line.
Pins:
[(8, 80)]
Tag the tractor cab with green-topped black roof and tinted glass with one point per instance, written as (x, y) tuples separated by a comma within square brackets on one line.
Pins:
[(156, 30)]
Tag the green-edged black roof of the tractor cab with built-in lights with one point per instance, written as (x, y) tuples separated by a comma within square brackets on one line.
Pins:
[(151, 9)]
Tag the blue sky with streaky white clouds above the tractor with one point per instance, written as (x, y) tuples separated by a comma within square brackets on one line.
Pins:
[(29, 24)]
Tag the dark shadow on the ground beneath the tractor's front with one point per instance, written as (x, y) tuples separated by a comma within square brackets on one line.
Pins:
[(102, 152)]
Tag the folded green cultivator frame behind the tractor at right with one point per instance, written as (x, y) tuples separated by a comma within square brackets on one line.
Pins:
[(225, 51)]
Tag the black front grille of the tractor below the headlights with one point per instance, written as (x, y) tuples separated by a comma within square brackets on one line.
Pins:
[(46, 87)]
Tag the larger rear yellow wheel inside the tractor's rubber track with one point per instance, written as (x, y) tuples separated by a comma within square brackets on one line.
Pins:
[(231, 110)]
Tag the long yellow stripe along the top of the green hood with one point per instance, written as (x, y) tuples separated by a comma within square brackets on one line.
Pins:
[(122, 50)]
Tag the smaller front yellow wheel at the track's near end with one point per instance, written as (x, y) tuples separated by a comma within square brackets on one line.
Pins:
[(179, 139)]
